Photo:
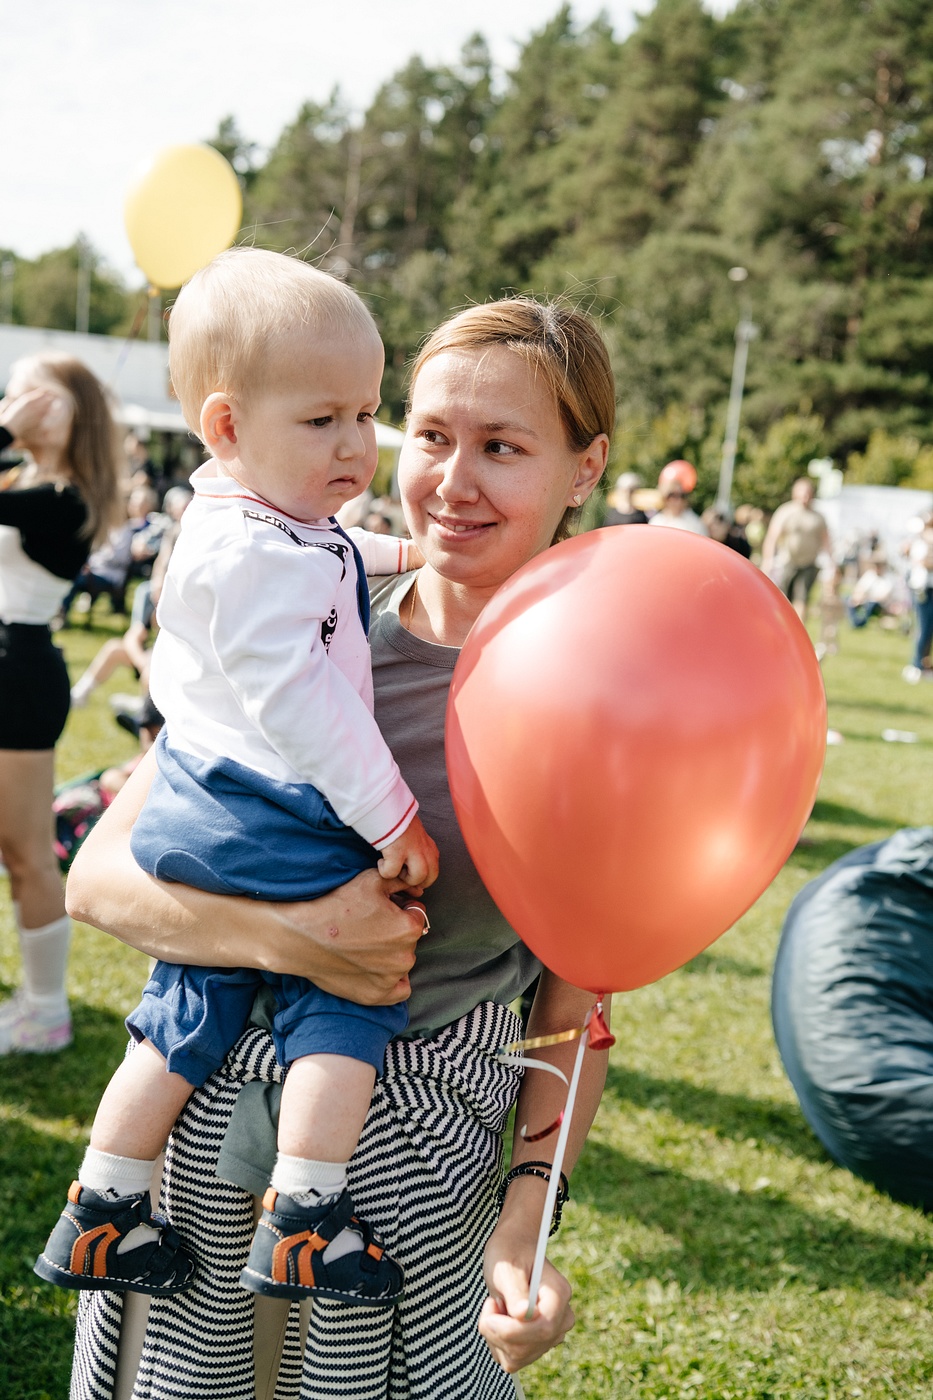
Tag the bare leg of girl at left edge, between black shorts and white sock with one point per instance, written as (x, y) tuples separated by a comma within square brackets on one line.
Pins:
[(27, 780)]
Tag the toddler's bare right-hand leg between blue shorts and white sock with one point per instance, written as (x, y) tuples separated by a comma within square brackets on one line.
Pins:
[(324, 1104)]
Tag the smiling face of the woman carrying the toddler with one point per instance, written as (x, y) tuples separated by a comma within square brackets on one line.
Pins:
[(485, 471)]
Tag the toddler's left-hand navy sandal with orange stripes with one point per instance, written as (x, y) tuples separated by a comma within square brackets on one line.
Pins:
[(83, 1249)]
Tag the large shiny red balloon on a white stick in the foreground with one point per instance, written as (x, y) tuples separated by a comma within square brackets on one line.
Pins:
[(635, 738)]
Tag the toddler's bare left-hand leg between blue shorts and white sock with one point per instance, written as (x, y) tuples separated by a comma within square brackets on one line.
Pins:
[(139, 1107)]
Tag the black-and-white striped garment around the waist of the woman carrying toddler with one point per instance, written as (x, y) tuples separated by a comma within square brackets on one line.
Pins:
[(425, 1174)]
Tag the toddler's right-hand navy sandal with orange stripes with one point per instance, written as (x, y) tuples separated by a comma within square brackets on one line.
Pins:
[(288, 1251)]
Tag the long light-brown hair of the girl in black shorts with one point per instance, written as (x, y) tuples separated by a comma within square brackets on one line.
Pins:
[(93, 453)]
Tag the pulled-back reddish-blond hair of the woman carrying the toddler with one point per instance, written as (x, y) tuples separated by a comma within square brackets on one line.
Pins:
[(561, 344)]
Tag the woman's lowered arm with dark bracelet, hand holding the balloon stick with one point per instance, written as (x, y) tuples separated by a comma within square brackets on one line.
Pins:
[(513, 1340)]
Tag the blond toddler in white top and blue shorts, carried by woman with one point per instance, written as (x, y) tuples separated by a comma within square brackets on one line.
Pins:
[(274, 780)]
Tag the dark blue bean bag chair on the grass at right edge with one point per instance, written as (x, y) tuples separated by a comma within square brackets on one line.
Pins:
[(852, 1006)]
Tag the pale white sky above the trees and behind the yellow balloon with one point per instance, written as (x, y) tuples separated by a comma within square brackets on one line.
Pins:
[(93, 89)]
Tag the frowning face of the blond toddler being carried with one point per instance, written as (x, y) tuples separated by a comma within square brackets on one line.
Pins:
[(306, 442)]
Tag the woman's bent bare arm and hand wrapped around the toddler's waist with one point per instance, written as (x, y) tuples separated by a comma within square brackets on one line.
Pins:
[(354, 943)]
